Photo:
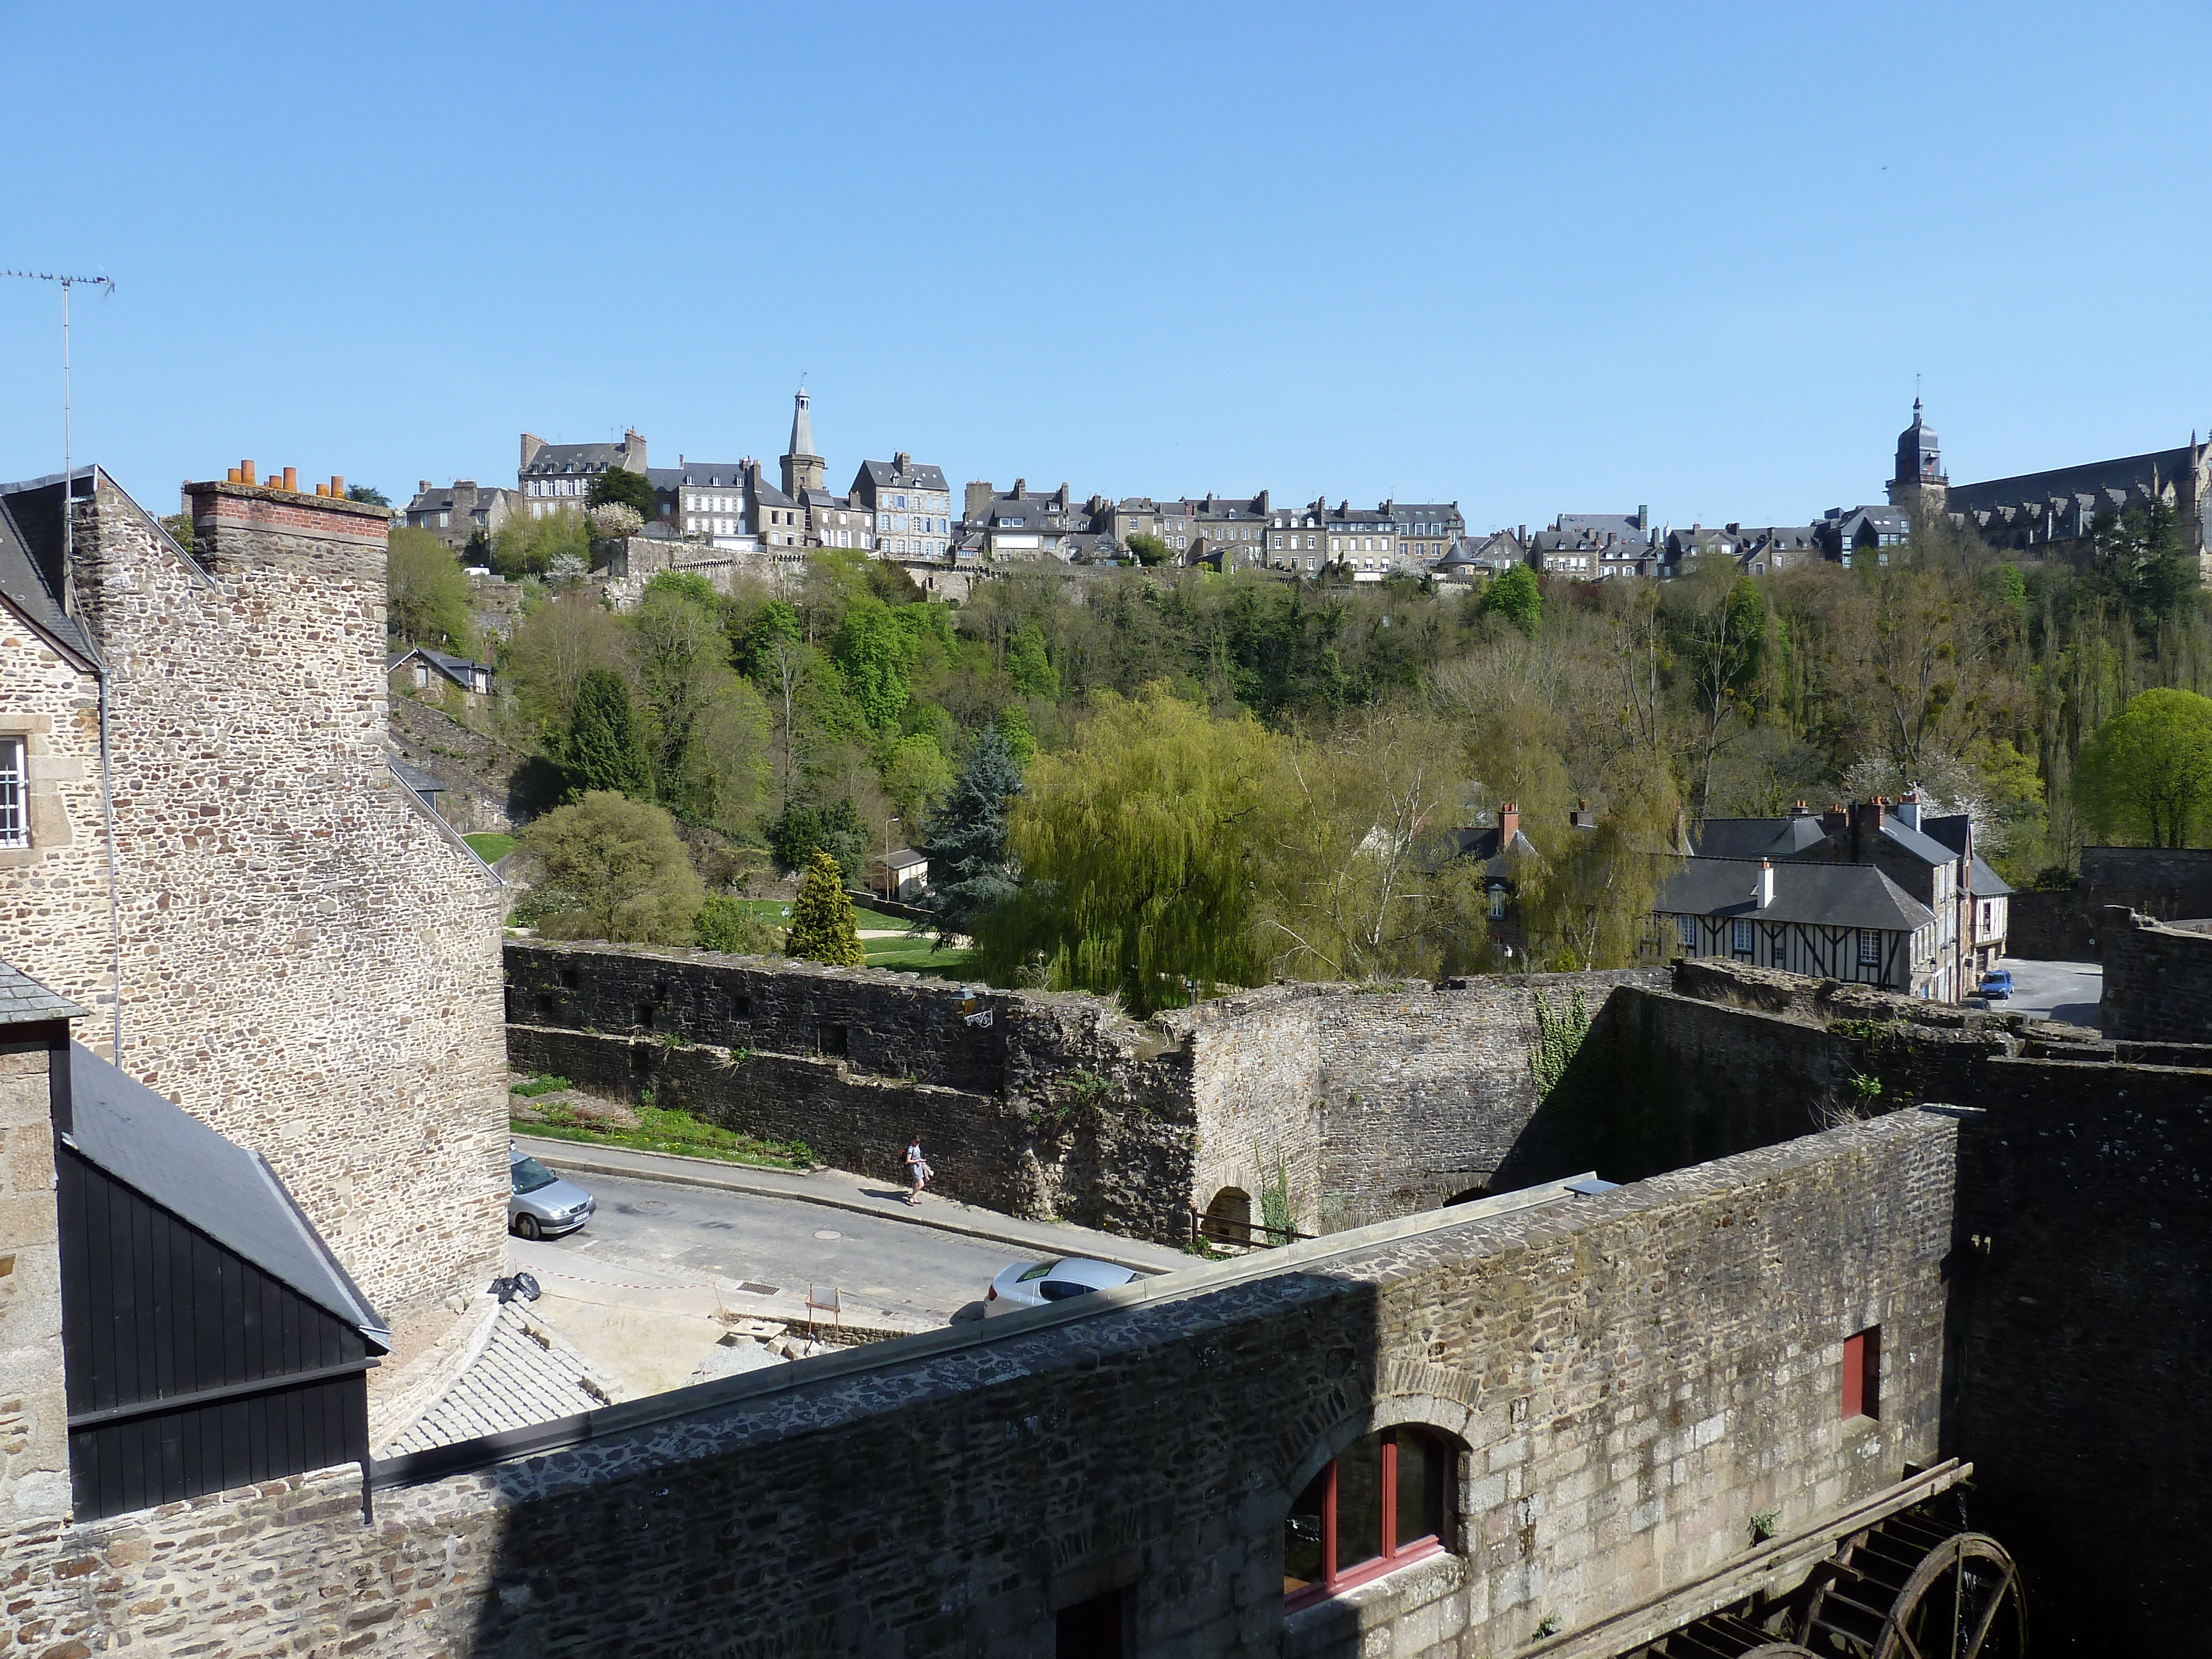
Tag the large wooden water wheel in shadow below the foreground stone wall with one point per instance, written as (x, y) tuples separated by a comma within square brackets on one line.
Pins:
[(1914, 1589)]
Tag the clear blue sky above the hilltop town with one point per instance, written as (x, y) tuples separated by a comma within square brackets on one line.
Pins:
[(1521, 258)]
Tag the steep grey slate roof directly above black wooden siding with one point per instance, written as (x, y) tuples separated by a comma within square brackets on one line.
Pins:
[(209, 1182)]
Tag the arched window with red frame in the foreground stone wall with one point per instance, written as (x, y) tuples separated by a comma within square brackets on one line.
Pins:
[(1379, 1505)]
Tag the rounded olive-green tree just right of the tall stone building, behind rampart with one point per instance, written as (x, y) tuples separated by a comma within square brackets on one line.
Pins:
[(616, 870)]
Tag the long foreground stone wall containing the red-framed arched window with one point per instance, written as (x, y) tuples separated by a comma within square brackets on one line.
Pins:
[(1625, 1381)]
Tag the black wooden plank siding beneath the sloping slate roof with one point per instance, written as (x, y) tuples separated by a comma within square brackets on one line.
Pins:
[(189, 1368)]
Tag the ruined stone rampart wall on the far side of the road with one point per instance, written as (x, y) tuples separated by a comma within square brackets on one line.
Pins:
[(1353, 1103)]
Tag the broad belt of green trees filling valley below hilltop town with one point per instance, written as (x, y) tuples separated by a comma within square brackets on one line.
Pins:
[(1160, 782)]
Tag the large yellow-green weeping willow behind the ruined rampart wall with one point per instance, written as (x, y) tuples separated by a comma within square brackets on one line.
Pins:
[(1140, 855)]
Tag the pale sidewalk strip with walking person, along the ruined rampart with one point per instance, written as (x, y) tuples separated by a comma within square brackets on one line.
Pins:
[(857, 1193)]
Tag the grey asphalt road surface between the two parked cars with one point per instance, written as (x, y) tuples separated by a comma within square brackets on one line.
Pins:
[(784, 1244)]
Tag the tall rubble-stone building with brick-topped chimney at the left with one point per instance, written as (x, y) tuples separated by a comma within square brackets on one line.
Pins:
[(220, 864)]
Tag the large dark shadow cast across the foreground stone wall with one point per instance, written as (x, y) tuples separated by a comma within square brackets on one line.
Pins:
[(1072, 1512)]
